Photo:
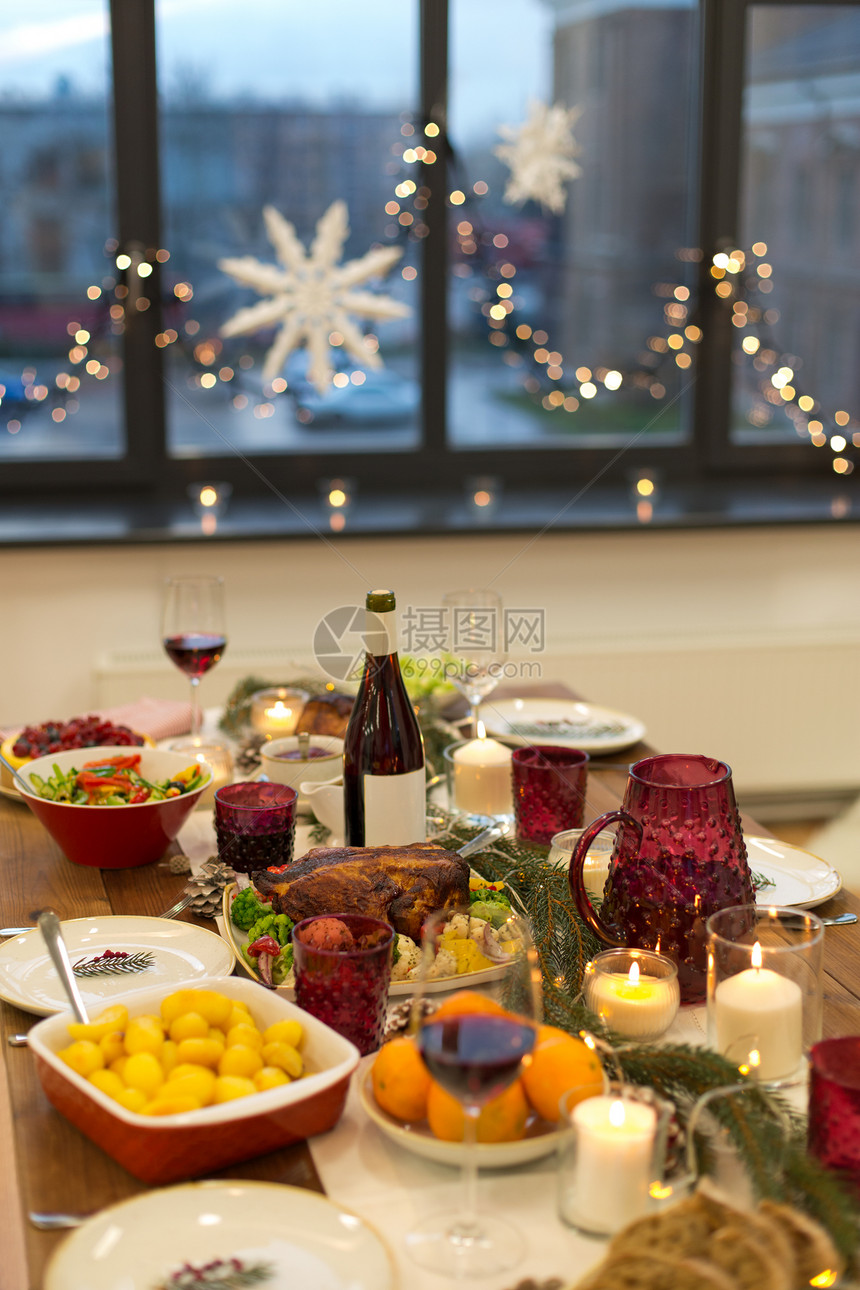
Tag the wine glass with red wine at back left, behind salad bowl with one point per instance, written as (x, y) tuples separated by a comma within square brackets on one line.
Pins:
[(193, 631)]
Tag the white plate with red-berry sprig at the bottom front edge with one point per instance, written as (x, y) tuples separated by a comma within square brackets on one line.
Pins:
[(282, 1236)]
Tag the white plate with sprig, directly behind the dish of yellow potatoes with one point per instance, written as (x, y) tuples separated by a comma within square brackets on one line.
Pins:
[(164, 953)]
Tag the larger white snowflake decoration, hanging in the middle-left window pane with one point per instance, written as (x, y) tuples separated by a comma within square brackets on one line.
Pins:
[(313, 295)]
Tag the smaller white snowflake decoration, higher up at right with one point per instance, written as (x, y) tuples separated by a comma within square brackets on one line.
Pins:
[(540, 155)]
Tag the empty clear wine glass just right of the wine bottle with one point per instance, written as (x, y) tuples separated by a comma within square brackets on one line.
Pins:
[(475, 628)]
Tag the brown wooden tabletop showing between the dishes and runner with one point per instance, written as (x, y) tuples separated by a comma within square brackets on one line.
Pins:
[(51, 1166)]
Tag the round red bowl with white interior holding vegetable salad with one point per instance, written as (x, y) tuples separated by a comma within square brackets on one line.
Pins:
[(114, 838)]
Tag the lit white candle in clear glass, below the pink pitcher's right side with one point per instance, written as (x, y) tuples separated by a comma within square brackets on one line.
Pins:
[(765, 1012)]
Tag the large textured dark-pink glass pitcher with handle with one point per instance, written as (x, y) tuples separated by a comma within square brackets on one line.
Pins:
[(679, 857)]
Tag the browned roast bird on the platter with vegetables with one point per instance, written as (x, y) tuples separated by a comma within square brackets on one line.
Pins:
[(399, 884)]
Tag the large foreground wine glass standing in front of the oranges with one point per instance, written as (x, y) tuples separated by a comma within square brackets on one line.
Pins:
[(475, 1049)]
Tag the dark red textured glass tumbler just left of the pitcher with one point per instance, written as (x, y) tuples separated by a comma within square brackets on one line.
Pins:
[(549, 791)]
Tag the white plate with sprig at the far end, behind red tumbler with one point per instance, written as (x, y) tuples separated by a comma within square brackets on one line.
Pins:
[(562, 722)]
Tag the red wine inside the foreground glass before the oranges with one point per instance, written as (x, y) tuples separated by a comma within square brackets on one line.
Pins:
[(476, 1056)]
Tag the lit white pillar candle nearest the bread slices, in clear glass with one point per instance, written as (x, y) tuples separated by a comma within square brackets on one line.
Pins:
[(614, 1162)]
